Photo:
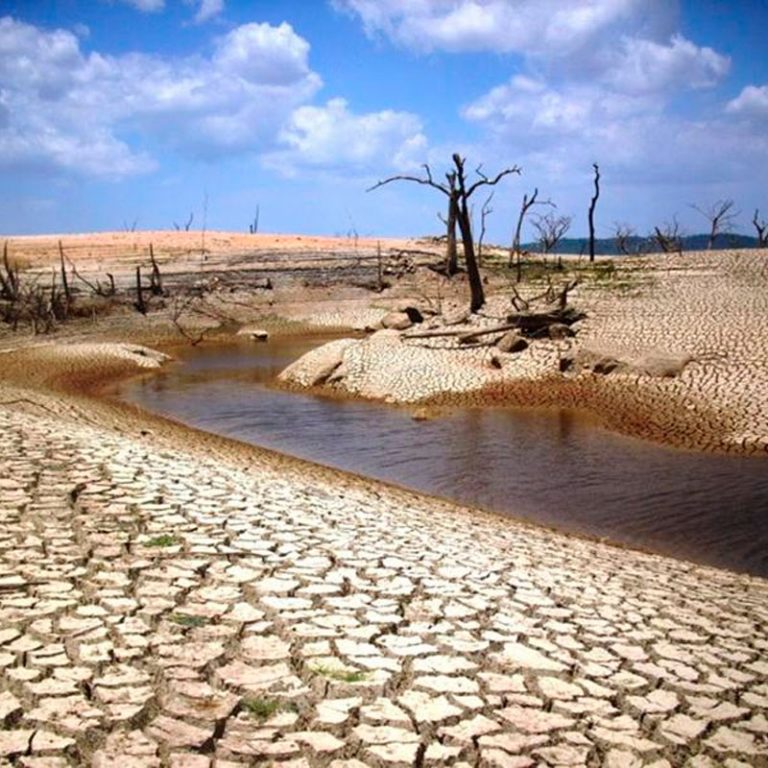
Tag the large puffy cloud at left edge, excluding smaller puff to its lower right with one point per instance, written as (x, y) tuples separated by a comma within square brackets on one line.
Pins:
[(69, 110)]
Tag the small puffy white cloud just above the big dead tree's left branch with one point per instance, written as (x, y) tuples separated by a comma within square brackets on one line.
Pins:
[(332, 136)]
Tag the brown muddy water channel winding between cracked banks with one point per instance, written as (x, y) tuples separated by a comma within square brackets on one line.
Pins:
[(556, 468)]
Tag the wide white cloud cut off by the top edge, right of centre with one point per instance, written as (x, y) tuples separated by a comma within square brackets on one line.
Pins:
[(535, 27)]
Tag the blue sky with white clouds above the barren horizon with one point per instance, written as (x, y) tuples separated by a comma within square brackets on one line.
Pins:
[(121, 111)]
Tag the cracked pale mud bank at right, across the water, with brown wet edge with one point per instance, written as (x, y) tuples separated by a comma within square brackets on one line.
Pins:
[(700, 320)]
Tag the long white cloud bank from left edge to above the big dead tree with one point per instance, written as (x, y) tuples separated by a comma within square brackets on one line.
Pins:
[(66, 110)]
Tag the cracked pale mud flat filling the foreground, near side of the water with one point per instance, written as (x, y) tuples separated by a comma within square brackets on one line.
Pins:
[(168, 598)]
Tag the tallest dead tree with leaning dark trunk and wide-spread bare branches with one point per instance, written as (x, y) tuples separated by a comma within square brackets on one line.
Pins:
[(458, 193)]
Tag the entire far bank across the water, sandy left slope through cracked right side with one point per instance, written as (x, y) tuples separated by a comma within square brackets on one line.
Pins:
[(705, 311)]
